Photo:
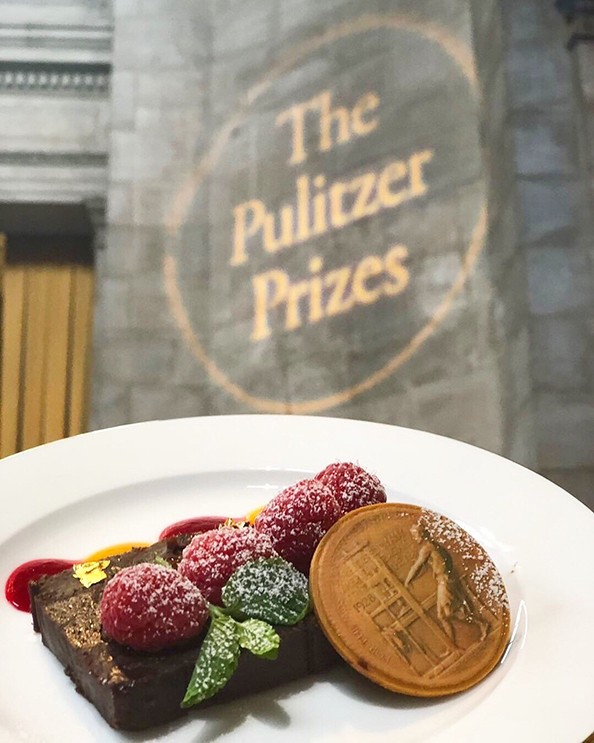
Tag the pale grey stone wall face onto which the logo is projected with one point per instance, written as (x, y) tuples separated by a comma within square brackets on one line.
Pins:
[(175, 319)]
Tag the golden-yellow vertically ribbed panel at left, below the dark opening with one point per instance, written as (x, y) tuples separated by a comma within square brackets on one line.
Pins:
[(45, 337)]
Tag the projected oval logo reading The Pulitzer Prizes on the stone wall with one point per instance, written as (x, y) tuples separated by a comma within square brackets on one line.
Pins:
[(302, 244)]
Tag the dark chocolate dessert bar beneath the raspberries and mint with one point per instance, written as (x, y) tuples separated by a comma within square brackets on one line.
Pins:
[(134, 690)]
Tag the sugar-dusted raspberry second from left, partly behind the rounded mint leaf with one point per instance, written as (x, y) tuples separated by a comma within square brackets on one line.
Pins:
[(212, 557)]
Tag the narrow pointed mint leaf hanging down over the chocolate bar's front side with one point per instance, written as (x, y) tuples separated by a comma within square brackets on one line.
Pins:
[(217, 661)]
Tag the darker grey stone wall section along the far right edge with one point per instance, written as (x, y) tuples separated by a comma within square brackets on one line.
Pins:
[(550, 121)]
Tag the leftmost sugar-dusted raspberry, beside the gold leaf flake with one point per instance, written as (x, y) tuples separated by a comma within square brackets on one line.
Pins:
[(151, 607)]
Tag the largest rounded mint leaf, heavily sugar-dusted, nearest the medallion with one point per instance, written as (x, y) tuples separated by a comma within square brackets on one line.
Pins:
[(270, 589)]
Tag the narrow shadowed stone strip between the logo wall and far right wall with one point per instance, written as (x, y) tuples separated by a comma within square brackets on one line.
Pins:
[(506, 266)]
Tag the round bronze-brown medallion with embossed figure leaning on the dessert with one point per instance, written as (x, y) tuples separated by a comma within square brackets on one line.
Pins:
[(410, 599)]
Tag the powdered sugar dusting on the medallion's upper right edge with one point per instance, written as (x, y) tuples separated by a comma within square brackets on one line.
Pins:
[(478, 569)]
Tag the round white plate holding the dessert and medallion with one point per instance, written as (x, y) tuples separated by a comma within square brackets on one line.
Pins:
[(72, 497)]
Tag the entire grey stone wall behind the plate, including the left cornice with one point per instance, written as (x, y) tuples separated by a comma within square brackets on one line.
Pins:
[(509, 365)]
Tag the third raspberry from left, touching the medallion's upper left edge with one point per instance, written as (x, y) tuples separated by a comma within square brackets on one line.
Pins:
[(297, 518)]
